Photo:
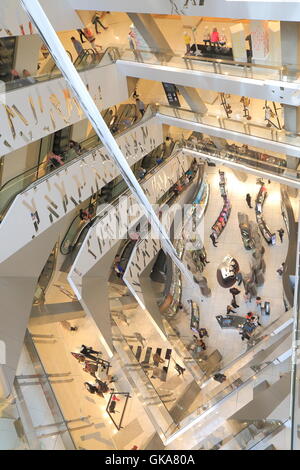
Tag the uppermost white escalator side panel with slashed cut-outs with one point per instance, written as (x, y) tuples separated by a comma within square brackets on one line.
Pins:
[(49, 106)]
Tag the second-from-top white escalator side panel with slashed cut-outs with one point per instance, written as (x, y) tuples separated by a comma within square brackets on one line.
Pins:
[(44, 204)]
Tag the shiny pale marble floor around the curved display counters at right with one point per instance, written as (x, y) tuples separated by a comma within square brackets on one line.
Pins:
[(228, 342)]
